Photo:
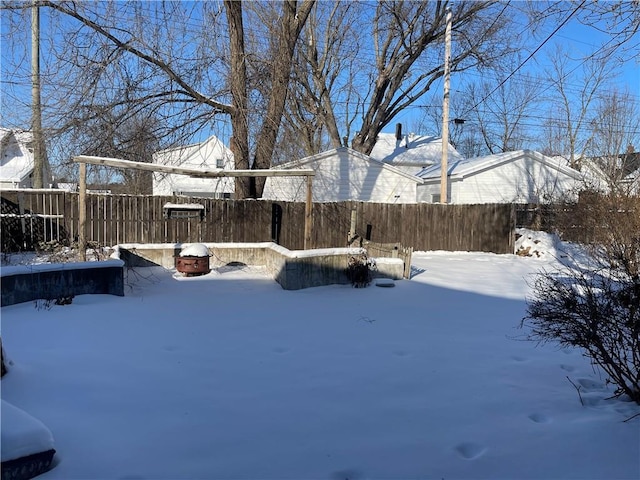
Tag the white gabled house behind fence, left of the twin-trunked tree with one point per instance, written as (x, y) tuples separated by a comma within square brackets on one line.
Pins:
[(209, 155)]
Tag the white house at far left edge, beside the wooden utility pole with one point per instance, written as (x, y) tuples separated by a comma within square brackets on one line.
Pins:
[(16, 158)]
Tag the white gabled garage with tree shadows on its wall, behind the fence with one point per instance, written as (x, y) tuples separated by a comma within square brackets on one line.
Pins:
[(344, 174)]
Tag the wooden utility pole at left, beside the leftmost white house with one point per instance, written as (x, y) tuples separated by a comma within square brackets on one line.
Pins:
[(39, 148)]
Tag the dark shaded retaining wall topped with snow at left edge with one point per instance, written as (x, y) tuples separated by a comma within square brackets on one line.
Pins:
[(52, 281)]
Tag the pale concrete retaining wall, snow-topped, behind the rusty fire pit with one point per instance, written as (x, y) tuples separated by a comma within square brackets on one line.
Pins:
[(293, 270)]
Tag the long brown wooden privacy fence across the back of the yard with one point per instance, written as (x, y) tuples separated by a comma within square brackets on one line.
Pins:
[(32, 216)]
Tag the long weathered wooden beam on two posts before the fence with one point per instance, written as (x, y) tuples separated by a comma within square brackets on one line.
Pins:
[(83, 160)]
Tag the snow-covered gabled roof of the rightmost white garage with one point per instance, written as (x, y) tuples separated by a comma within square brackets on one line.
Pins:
[(463, 168)]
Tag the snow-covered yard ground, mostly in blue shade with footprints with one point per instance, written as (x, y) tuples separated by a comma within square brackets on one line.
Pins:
[(229, 376)]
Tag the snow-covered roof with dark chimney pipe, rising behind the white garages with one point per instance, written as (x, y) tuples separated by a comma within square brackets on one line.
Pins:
[(412, 150)]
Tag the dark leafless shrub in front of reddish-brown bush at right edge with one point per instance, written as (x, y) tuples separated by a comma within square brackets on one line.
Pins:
[(593, 311)]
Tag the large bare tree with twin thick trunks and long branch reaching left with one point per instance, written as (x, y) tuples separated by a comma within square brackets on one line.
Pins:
[(158, 58)]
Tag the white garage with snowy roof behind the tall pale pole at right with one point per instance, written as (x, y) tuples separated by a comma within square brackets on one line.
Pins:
[(522, 176)]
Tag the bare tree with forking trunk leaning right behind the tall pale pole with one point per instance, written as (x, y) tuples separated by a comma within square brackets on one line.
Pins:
[(404, 67)]
